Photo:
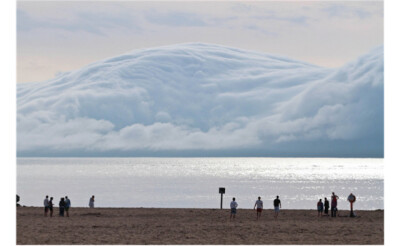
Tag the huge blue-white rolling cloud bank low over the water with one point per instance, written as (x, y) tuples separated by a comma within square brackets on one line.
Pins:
[(205, 100)]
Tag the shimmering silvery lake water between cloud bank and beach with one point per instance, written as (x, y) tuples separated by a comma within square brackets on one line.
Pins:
[(194, 182)]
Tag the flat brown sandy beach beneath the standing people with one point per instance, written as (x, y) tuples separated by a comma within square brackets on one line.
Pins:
[(195, 226)]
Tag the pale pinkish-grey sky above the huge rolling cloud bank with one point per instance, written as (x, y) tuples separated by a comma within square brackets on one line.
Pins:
[(56, 36)]
